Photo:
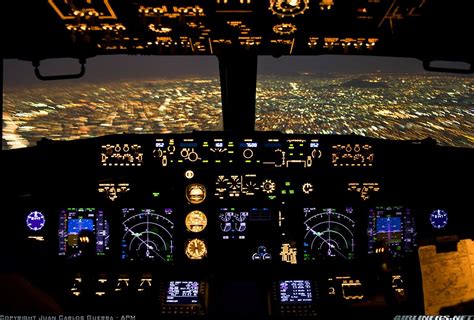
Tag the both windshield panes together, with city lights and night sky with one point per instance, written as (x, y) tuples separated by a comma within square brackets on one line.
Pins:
[(370, 96)]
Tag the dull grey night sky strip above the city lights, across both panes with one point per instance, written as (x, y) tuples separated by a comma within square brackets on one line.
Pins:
[(108, 68)]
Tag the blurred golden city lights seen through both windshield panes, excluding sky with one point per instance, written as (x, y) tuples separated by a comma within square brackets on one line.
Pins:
[(381, 106)]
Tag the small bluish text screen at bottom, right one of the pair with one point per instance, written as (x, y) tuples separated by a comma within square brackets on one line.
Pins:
[(296, 292)]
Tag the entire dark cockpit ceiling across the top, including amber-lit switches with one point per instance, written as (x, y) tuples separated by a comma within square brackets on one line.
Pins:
[(424, 29)]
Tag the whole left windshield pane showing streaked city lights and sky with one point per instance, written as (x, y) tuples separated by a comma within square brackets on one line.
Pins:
[(118, 94)]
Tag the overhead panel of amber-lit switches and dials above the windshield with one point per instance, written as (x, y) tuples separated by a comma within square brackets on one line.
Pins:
[(277, 27)]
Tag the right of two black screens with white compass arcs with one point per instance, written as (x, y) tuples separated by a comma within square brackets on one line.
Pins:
[(329, 234)]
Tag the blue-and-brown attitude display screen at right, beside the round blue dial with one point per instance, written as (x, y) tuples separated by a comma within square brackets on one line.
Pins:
[(392, 229)]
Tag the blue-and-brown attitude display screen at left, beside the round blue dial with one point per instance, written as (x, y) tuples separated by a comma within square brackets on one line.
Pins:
[(83, 232)]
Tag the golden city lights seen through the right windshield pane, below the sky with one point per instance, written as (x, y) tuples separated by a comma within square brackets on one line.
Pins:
[(382, 106)]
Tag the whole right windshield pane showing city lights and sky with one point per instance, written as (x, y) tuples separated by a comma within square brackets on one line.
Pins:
[(380, 97)]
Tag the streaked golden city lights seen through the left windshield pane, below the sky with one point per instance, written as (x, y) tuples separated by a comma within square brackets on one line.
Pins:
[(91, 110)]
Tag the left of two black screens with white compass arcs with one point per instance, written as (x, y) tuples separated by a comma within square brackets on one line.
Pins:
[(147, 235)]
